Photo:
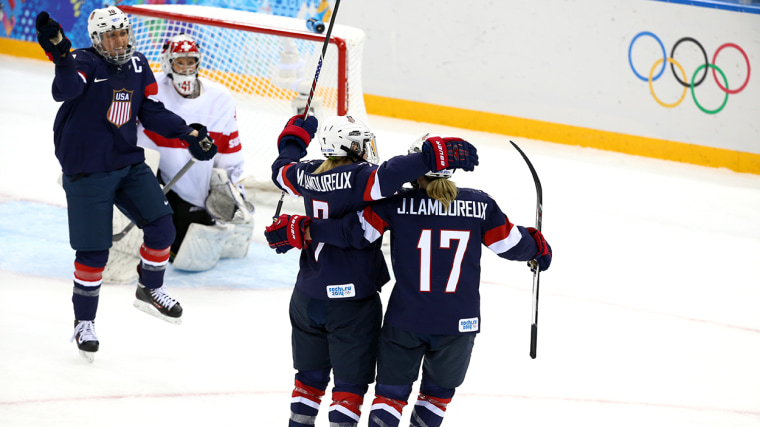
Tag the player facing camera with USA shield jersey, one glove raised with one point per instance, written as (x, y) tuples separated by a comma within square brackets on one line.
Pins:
[(104, 89)]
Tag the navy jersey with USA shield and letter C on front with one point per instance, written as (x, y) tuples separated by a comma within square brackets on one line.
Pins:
[(95, 129)]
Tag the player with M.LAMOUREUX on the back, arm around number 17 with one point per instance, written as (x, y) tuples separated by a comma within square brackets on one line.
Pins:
[(335, 308)]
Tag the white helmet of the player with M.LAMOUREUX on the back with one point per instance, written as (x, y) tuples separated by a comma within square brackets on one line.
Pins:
[(342, 136)]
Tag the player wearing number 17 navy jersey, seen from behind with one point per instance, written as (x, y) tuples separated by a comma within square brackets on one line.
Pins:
[(433, 313)]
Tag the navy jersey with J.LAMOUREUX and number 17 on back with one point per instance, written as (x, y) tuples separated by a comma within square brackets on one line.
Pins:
[(435, 254)]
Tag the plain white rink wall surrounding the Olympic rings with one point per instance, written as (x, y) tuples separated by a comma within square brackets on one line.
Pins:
[(566, 62)]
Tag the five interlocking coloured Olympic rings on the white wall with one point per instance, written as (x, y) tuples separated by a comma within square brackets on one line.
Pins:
[(682, 80)]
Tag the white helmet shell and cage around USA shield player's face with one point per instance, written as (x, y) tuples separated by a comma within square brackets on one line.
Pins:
[(108, 19)]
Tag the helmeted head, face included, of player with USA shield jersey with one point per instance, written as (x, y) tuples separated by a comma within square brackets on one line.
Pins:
[(106, 27)]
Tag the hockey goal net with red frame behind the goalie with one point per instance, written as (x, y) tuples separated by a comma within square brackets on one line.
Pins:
[(268, 62)]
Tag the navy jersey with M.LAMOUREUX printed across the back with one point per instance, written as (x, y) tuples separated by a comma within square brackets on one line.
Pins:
[(329, 272)]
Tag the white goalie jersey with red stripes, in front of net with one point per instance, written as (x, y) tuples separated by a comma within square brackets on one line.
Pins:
[(213, 108)]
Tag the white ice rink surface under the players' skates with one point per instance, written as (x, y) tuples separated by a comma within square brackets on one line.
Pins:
[(649, 314)]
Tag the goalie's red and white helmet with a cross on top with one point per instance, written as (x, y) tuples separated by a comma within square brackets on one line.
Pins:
[(185, 78)]
